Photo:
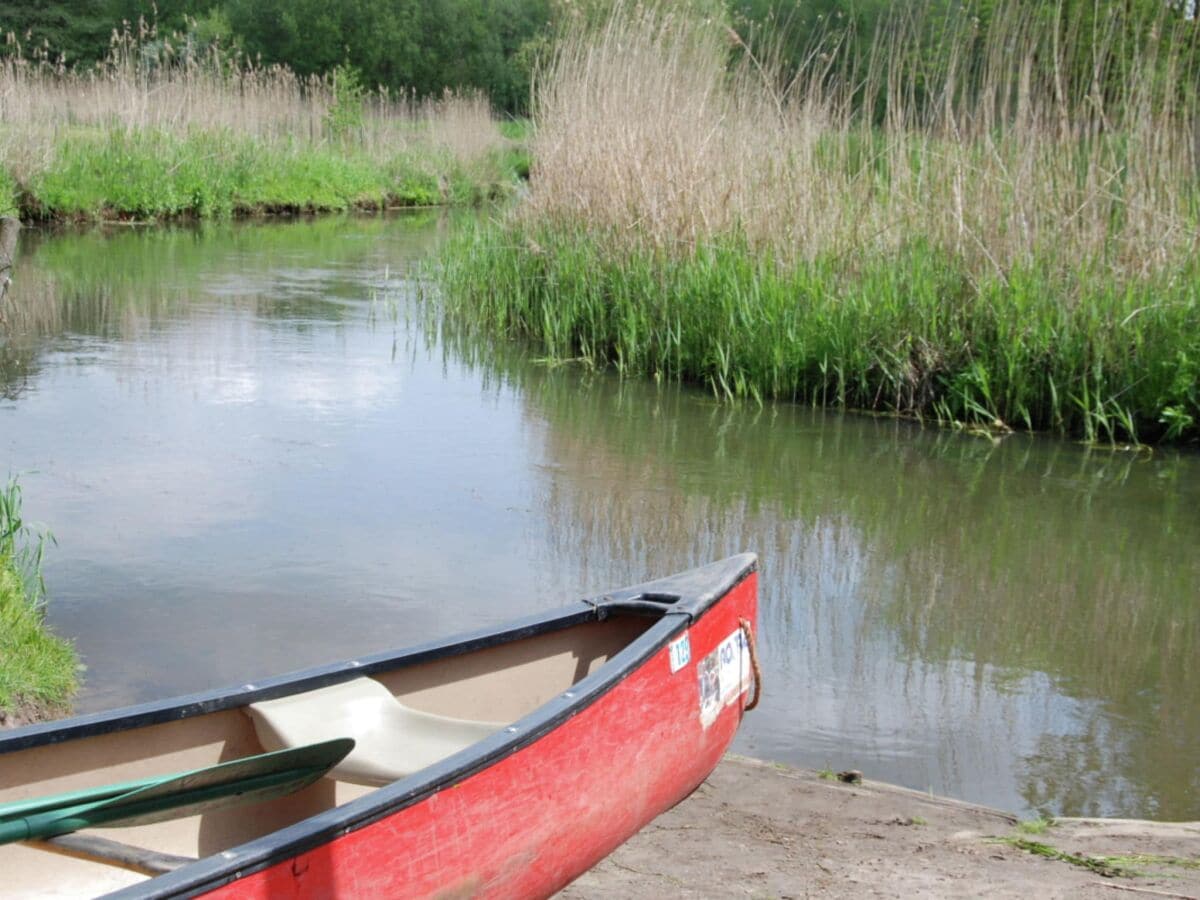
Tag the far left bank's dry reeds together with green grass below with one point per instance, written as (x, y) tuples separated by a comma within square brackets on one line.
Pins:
[(160, 133)]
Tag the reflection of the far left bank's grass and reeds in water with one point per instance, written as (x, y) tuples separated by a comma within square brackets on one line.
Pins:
[(125, 285)]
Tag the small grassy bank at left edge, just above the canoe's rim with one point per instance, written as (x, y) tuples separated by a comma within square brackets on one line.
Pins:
[(38, 670)]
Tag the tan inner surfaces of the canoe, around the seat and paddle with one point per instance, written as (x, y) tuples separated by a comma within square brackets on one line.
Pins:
[(501, 683)]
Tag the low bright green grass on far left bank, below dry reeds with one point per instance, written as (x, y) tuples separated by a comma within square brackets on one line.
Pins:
[(159, 175)]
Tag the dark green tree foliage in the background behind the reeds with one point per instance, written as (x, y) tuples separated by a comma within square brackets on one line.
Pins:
[(427, 46)]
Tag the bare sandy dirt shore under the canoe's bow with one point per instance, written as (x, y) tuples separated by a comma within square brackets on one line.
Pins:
[(757, 830)]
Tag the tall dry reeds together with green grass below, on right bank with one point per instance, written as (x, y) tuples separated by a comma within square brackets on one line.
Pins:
[(998, 235)]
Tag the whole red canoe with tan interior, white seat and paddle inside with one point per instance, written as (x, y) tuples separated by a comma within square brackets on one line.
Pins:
[(500, 764)]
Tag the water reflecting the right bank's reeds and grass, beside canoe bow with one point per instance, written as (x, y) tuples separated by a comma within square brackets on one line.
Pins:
[(1015, 623)]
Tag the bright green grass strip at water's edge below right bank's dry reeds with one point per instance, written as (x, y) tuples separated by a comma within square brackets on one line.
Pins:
[(911, 333)]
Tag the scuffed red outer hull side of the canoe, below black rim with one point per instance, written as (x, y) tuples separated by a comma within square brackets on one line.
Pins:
[(536, 820)]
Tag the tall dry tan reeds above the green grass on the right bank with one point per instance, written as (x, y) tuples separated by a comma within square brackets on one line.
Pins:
[(995, 154)]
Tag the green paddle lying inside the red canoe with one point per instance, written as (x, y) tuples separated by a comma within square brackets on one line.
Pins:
[(249, 781)]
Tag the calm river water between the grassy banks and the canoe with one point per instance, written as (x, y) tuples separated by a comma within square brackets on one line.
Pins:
[(256, 455)]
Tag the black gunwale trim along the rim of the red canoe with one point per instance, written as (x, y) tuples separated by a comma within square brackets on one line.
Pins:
[(683, 599)]
